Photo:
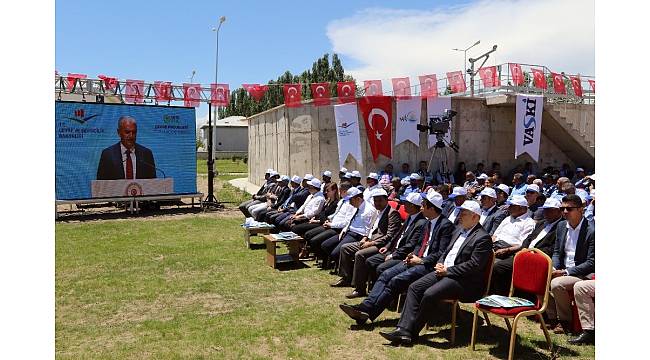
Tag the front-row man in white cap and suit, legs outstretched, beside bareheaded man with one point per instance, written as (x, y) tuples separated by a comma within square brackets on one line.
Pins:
[(392, 282)]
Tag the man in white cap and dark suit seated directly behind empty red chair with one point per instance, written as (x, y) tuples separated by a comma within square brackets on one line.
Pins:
[(542, 238)]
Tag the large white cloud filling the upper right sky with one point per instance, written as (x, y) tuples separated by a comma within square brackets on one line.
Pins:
[(389, 43)]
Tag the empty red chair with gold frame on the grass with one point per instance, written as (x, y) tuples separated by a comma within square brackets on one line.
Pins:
[(531, 273)]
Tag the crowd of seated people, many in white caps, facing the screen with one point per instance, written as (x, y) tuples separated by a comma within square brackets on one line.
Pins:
[(401, 233)]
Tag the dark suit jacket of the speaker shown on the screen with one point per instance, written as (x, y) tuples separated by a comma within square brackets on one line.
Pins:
[(111, 168)]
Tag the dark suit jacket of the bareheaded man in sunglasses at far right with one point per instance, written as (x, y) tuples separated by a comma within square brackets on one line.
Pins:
[(585, 256)]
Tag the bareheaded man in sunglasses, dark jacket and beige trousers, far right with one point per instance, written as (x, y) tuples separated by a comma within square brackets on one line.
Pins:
[(574, 259)]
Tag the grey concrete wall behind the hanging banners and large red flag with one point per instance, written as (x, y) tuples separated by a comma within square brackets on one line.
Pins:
[(303, 140)]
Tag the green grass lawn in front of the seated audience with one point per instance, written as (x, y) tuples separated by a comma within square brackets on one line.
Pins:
[(189, 288)]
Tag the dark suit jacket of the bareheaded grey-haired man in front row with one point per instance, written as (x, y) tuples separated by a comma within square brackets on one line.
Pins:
[(471, 260)]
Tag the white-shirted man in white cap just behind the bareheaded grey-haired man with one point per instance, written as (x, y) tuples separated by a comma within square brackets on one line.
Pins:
[(515, 228)]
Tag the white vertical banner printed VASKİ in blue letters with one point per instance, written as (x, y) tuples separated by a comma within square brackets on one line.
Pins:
[(528, 131)]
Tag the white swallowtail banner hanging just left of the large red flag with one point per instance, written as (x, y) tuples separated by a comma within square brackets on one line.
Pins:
[(347, 132)]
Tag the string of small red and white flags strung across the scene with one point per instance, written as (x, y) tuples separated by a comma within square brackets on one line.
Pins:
[(345, 91)]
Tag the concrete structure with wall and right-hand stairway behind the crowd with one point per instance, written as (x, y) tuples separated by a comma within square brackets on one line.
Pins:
[(303, 140)]
